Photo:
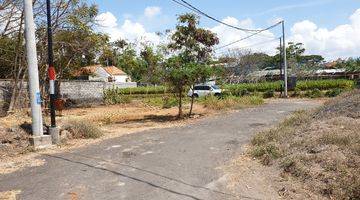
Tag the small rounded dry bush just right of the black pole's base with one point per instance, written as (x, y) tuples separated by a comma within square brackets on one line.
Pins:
[(83, 130)]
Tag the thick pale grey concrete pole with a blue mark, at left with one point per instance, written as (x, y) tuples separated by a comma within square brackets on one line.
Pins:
[(38, 139)]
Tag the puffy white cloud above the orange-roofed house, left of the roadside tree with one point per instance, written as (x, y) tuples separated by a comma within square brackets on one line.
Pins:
[(129, 30)]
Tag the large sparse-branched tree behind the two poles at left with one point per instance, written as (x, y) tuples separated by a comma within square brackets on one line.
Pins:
[(74, 38)]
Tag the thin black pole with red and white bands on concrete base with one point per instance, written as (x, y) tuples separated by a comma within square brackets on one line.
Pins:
[(53, 130)]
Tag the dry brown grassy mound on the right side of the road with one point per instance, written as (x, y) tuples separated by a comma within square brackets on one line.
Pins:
[(321, 148)]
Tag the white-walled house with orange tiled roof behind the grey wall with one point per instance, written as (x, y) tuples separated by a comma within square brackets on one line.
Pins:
[(100, 73)]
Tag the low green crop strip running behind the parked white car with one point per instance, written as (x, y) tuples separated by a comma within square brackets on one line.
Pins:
[(310, 89)]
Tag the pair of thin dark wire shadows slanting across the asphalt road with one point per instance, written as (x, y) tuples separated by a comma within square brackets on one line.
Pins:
[(149, 172)]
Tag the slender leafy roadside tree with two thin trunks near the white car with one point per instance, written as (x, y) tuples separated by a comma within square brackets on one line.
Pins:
[(192, 47)]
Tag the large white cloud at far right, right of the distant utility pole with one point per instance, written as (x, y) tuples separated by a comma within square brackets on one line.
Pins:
[(343, 41)]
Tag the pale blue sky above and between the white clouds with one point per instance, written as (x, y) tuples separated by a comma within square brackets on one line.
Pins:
[(325, 14)]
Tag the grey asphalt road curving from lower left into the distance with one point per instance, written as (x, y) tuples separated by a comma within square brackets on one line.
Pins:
[(166, 164)]
